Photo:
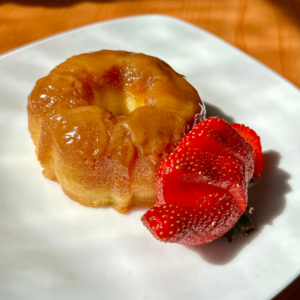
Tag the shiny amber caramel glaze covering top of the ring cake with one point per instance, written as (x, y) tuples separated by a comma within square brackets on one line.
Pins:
[(97, 103)]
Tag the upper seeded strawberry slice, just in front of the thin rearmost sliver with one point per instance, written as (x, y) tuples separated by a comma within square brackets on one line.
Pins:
[(216, 136)]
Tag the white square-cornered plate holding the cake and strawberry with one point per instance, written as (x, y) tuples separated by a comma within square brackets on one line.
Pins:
[(53, 248)]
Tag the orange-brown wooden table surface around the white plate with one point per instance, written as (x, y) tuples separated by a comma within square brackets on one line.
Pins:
[(268, 30)]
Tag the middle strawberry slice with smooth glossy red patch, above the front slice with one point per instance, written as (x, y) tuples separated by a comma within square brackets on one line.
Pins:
[(189, 175)]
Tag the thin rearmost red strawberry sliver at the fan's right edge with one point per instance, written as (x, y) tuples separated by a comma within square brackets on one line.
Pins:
[(254, 140)]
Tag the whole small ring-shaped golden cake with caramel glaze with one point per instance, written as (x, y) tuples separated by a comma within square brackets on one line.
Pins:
[(102, 122)]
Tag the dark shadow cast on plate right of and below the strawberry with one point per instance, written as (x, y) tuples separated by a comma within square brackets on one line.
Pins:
[(268, 199)]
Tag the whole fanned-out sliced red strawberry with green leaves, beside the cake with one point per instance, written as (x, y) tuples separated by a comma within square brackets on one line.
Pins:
[(202, 185)]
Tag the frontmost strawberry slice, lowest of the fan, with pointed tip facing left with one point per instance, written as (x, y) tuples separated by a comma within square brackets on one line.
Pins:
[(195, 224)]
